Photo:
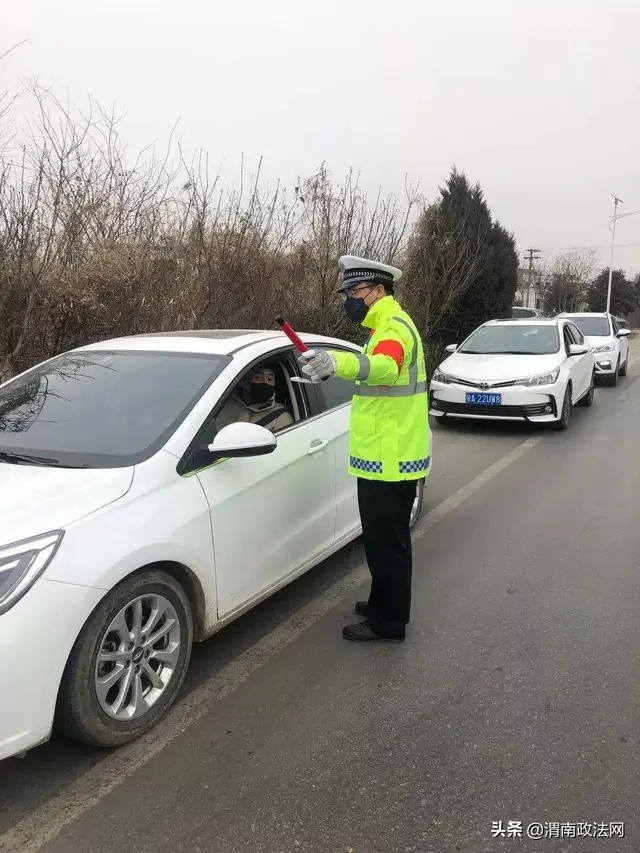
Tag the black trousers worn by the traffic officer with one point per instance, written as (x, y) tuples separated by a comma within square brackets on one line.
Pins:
[(385, 513)]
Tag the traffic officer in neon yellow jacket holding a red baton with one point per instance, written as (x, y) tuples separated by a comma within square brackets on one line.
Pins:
[(389, 437)]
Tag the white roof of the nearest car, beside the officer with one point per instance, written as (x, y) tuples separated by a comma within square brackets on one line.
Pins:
[(212, 341)]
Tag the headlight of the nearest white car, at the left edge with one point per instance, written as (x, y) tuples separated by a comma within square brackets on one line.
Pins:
[(22, 563)]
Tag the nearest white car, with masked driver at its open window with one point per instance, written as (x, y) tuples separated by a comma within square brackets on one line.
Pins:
[(136, 519)]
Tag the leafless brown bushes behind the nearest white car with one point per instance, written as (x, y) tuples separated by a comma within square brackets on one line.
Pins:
[(94, 245)]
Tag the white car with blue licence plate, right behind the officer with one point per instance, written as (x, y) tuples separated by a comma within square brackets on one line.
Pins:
[(533, 370)]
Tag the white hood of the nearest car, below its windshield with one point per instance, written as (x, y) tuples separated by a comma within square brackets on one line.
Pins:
[(35, 499)]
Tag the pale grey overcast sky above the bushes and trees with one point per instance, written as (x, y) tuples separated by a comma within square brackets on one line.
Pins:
[(539, 101)]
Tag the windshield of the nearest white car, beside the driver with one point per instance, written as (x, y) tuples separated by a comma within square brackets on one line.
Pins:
[(100, 409)]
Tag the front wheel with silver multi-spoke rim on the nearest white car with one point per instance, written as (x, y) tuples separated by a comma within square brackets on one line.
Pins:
[(128, 663)]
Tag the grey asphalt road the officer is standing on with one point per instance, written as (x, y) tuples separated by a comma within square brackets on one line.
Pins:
[(515, 697)]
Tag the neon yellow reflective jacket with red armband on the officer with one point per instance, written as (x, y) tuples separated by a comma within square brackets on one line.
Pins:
[(389, 430)]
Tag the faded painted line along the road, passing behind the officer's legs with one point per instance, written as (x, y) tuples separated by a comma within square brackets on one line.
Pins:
[(47, 822)]
